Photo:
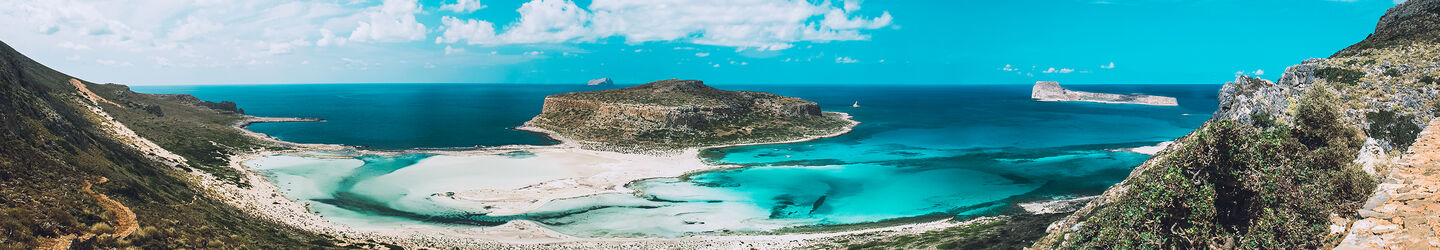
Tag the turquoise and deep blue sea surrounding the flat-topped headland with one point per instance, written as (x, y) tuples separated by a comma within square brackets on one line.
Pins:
[(921, 152)]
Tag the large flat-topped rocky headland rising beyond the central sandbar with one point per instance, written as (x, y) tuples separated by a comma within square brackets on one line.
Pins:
[(670, 116)]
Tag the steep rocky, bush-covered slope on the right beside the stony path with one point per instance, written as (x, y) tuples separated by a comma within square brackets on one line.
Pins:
[(1282, 165)]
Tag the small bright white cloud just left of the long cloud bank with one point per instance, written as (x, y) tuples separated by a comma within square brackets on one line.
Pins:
[(391, 22)]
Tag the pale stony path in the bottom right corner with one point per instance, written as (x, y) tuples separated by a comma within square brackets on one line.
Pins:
[(1405, 212)]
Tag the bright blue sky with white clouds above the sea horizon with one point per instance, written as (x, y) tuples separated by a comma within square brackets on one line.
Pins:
[(829, 42)]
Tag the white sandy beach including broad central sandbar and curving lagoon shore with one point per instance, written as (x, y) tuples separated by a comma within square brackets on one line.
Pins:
[(565, 172)]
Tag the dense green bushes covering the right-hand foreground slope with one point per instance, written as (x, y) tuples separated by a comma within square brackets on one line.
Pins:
[(1239, 186)]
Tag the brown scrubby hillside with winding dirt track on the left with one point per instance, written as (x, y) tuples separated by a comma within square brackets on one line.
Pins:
[(57, 134)]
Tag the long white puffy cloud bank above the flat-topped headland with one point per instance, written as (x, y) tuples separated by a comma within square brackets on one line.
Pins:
[(765, 25)]
